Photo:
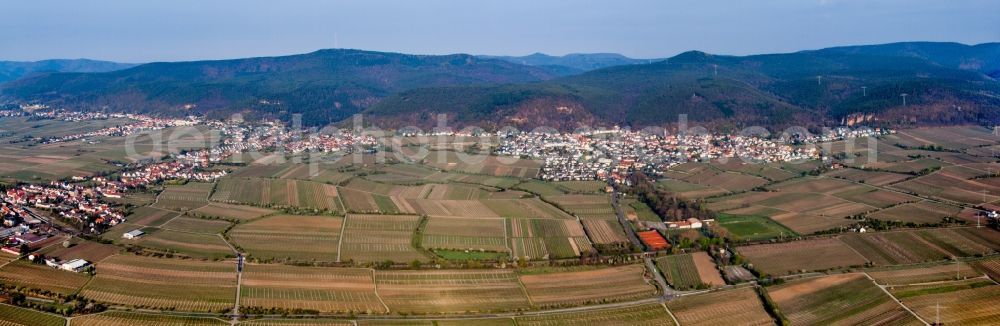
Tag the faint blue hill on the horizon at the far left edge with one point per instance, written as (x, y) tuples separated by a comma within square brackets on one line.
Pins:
[(11, 70)]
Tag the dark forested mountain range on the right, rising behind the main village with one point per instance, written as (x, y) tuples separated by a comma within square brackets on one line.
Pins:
[(775, 90)]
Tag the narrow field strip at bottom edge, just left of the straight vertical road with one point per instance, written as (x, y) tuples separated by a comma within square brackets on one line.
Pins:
[(110, 318)]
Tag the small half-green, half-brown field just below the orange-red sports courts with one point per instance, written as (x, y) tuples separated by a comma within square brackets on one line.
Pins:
[(690, 271)]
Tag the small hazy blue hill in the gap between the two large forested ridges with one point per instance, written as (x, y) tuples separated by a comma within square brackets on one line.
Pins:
[(573, 63)]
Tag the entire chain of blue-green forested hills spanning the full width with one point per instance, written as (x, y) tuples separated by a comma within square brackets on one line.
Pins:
[(945, 83)]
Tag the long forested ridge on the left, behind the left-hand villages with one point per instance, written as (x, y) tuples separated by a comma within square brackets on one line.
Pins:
[(323, 86)]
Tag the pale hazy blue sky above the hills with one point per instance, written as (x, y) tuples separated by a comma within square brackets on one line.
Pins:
[(160, 30)]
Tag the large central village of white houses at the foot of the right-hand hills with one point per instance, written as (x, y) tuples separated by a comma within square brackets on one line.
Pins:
[(612, 154)]
